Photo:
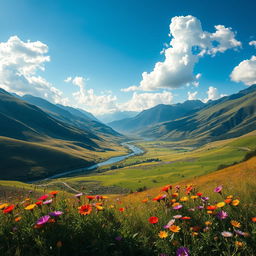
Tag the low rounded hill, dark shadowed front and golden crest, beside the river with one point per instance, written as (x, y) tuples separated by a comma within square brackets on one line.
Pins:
[(40, 159)]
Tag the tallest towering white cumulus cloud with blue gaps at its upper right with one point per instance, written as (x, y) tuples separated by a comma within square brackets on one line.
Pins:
[(189, 43)]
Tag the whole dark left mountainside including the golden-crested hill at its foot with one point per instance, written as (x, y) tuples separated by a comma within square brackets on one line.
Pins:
[(34, 144)]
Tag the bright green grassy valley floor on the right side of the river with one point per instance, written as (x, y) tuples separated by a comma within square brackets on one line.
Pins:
[(176, 165)]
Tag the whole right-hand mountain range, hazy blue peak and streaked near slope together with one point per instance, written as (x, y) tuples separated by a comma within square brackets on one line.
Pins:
[(228, 117)]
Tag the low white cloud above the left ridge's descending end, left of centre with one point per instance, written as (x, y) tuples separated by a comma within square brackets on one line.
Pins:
[(87, 99)]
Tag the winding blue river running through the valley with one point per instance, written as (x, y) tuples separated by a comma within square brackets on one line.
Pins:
[(135, 151)]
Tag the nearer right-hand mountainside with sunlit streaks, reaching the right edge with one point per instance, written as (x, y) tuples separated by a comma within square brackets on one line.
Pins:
[(228, 117)]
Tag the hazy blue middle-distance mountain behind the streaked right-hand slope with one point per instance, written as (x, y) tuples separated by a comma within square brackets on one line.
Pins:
[(157, 114)]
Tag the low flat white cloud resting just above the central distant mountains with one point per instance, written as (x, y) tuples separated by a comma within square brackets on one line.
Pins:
[(142, 101)]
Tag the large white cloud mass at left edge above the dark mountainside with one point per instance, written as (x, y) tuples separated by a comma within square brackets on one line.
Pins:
[(19, 63)]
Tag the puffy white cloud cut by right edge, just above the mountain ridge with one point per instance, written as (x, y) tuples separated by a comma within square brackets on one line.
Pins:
[(245, 72)]
